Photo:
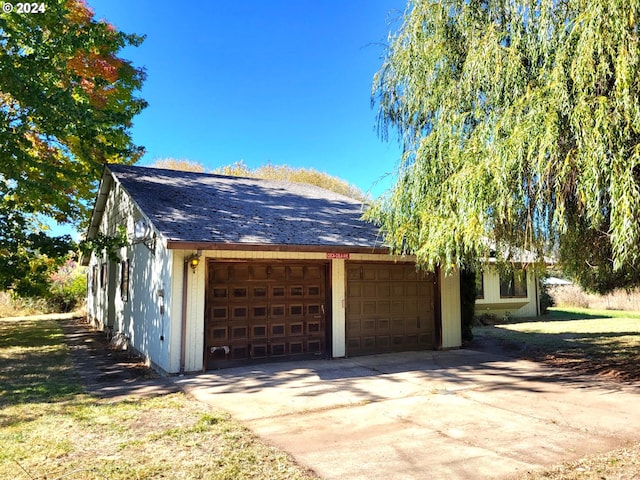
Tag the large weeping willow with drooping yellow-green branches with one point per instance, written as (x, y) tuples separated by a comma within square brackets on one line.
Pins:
[(519, 122)]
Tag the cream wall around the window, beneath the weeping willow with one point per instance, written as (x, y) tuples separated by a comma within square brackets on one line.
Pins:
[(493, 303)]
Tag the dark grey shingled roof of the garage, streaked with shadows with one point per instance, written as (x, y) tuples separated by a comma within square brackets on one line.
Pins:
[(188, 207)]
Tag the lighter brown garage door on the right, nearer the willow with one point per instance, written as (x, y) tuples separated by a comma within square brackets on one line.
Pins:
[(390, 307)]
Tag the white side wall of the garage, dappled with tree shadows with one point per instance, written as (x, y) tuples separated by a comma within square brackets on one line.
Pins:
[(143, 318)]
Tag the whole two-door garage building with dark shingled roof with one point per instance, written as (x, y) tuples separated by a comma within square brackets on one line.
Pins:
[(220, 270)]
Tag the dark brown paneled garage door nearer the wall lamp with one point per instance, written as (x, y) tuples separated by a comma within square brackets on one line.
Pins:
[(262, 311)]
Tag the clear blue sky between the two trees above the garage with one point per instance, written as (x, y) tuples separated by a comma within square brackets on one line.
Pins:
[(280, 81)]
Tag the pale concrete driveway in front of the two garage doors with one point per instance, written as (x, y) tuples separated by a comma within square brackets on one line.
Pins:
[(457, 414)]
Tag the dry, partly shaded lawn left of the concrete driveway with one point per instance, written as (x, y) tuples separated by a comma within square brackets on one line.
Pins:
[(50, 429)]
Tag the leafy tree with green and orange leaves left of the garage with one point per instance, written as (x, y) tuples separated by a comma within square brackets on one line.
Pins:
[(67, 101)]
